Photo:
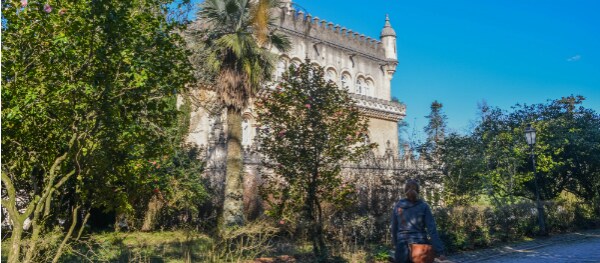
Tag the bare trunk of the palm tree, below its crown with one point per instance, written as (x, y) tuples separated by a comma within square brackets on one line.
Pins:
[(233, 205)]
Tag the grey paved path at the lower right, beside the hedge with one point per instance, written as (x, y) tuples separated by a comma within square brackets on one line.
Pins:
[(575, 247)]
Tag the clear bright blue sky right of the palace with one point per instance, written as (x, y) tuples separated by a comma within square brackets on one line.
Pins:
[(463, 52)]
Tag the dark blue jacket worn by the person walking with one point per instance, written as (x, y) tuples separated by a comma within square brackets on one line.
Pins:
[(411, 222)]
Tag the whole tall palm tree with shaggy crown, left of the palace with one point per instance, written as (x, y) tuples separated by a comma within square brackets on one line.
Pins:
[(237, 36)]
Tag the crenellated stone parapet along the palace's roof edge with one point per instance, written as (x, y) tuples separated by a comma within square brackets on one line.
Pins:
[(319, 31)]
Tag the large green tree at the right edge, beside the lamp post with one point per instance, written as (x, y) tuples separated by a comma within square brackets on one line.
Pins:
[(567, 147)]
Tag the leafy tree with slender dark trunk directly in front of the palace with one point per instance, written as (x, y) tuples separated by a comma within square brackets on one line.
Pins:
[(309, 128)]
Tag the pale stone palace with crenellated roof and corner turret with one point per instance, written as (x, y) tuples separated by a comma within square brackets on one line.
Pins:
[(363, 65)]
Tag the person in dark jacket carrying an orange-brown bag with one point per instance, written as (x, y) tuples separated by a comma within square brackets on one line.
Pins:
[(412, 224)]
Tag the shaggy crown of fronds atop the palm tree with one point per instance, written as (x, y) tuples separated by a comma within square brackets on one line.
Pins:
[(236, 34)]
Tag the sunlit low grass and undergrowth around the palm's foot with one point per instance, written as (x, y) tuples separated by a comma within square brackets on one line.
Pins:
[(239, 244)]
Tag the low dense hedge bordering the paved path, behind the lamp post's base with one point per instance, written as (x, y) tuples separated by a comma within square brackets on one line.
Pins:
[(466, 228)]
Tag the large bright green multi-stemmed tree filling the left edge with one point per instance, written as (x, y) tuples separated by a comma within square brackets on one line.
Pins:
[(87, 87)]
